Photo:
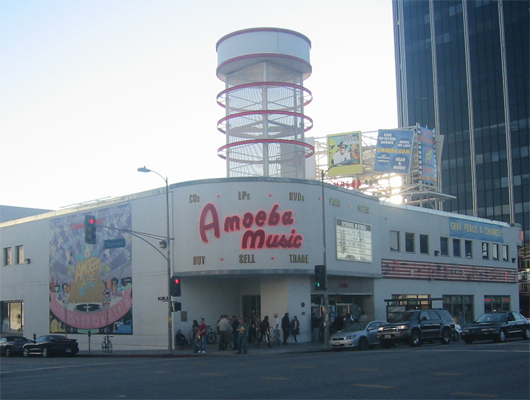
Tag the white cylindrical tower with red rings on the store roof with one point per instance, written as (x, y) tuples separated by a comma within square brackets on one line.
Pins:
[(264, 70)]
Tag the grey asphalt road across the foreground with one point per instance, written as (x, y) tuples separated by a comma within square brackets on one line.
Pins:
[(457, 371)]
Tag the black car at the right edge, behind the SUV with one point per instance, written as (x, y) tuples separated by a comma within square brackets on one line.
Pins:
[(497, 326)]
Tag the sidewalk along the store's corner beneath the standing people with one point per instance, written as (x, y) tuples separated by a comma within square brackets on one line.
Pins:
[(211, 351)]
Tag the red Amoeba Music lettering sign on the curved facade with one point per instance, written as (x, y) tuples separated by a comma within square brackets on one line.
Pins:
[(254, 235)]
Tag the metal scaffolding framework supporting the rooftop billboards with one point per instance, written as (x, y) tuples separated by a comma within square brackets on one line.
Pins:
[(411, 188)]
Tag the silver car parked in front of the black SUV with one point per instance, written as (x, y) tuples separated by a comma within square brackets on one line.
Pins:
[(360, 335)]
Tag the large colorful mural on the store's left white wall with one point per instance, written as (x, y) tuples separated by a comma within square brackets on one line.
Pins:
[(91, 285)]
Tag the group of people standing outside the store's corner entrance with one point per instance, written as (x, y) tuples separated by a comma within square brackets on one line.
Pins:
[(238, 333)]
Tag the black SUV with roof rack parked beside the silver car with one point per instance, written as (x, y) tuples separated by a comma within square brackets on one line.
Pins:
[(415, 326)]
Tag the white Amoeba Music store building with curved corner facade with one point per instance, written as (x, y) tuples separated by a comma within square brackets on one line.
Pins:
[(245, 246)]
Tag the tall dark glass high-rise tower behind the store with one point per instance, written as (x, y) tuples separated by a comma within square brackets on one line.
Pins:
[(463, 68)]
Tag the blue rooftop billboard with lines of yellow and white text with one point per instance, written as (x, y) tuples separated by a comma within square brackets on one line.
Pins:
[(394, 151)]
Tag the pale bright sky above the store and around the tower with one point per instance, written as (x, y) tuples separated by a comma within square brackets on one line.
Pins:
[(91, 90)]
